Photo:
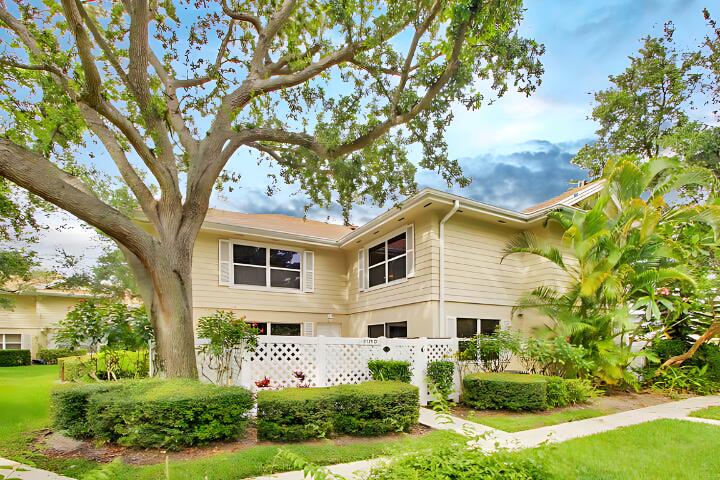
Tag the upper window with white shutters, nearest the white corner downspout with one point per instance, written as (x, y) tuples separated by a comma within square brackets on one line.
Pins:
[(387, 261)]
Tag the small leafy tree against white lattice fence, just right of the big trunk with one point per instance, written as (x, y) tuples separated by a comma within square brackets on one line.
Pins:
[(228, 338)]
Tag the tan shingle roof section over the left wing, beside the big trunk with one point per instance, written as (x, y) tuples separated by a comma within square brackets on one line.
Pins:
[(279, 223)]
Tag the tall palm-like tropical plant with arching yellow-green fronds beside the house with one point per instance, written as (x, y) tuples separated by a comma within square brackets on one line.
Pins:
[(620, 255)]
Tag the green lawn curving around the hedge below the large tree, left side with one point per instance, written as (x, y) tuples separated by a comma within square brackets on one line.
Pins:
[(25, 408)]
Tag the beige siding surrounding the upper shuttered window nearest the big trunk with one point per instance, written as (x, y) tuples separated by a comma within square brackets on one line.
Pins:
[(329, 297)]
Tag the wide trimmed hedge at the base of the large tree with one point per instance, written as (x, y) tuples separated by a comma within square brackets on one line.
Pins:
[(152, 413)]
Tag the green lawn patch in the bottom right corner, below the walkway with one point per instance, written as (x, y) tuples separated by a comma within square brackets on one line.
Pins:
[(663, 449)]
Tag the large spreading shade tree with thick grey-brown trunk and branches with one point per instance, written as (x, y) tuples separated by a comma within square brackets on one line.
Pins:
[(333, 92)]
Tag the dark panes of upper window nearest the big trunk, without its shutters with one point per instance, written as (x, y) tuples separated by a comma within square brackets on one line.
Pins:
[(266, 267)]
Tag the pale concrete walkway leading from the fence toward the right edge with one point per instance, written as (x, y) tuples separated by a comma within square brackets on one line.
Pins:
[(489, 439)]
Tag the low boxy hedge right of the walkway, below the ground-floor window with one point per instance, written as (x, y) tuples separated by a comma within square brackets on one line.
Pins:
[(505, 391)]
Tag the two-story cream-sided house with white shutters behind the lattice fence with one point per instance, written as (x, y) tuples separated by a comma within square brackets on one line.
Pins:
[(430, 267)]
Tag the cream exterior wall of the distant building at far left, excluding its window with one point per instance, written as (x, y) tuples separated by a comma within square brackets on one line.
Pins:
[(33, 317)]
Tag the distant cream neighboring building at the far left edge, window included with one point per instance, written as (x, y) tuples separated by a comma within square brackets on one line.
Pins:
[(29, 323)]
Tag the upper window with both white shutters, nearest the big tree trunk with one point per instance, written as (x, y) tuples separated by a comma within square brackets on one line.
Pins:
[(259, 266)]
